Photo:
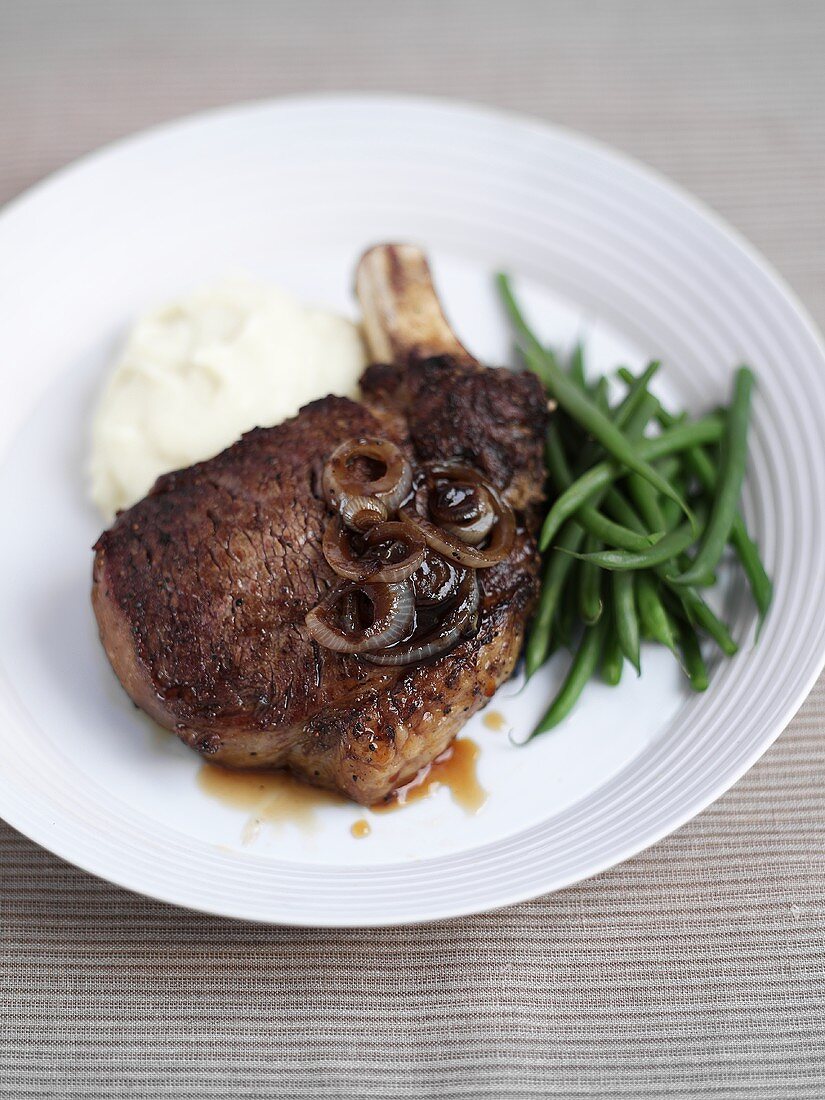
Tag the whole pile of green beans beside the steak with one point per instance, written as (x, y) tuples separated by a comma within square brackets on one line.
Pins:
[(639, 522)]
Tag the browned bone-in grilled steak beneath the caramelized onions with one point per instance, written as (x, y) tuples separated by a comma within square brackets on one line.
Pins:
[(202, 589)]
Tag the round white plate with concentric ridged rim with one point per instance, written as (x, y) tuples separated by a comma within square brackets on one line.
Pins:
[(294, 192)]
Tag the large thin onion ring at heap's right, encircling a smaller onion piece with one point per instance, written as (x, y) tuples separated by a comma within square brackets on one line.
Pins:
[(416, 514)]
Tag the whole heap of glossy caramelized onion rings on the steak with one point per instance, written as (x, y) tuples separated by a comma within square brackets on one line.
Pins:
[(419, 573)]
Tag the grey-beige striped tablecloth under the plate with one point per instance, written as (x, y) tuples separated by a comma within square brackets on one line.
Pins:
[(698, 969)]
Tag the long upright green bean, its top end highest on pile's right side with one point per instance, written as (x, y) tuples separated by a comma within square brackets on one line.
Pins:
[(734, 457)]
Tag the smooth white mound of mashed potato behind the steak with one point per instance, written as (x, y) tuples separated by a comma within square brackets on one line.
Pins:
[(197, 373)]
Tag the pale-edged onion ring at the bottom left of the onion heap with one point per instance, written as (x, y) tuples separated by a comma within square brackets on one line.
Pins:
[(394, 618)]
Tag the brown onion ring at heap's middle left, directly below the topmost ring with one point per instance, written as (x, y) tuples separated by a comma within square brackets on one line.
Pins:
[(381, 562)]
